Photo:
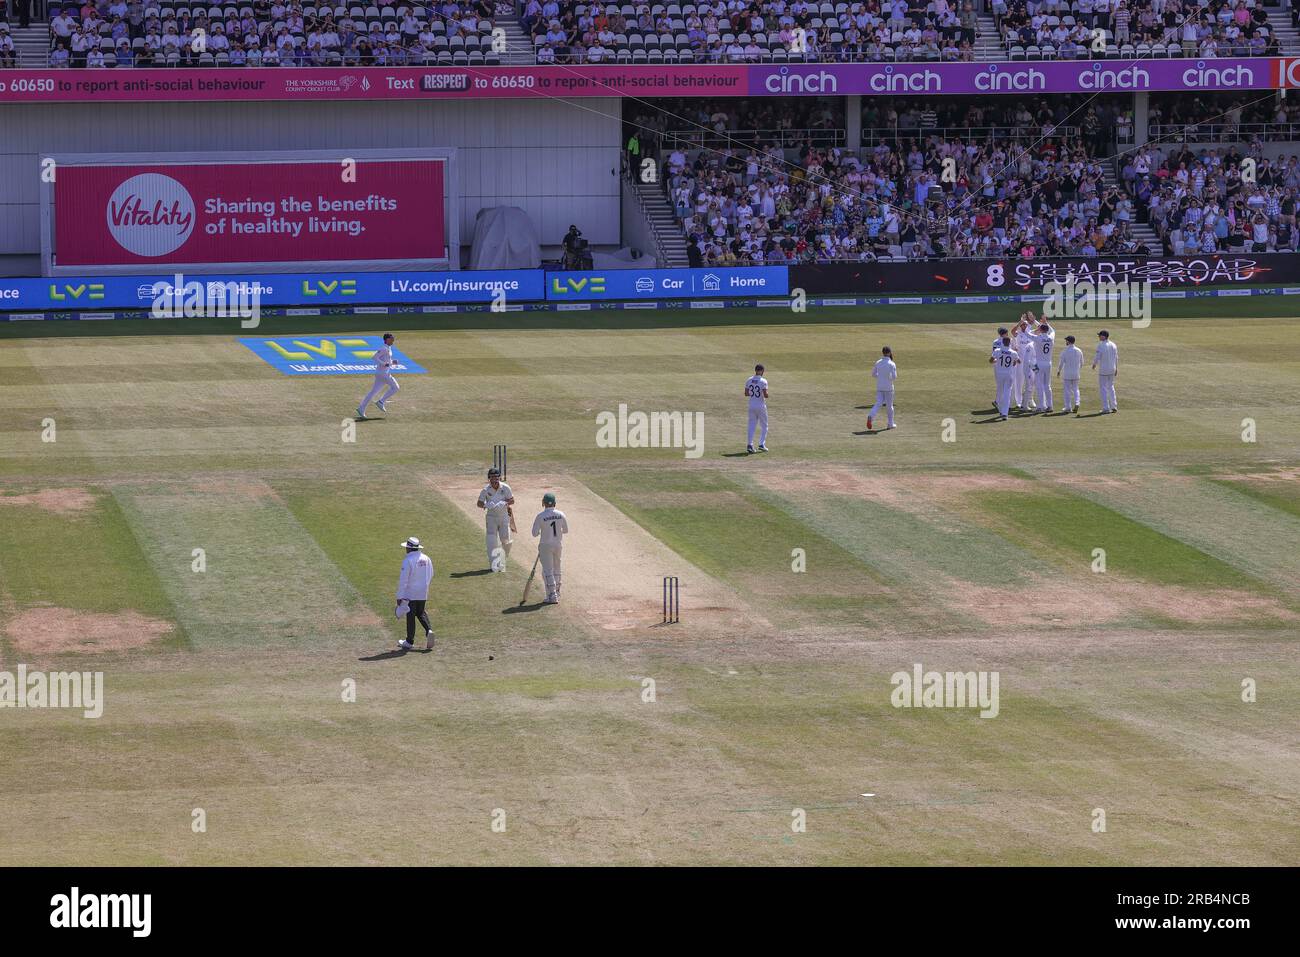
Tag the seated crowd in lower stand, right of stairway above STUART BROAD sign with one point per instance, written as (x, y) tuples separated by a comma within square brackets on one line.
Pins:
[(1215, 201)]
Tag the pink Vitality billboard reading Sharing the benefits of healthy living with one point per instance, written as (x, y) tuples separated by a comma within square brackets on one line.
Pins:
[(283, 211)]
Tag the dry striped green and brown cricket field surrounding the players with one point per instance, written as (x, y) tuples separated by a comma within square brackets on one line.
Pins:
[(1120, 691)]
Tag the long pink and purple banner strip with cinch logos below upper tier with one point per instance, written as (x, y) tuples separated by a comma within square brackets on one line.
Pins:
[(713, 80)]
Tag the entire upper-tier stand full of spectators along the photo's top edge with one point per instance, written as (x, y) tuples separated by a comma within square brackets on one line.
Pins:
[(162, 33)]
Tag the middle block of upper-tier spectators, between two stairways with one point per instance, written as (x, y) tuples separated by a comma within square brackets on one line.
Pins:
[(753, 32)]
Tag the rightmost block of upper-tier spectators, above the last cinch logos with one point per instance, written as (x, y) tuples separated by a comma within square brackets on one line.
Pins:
[(1059, 29)]
